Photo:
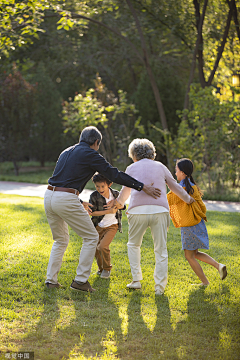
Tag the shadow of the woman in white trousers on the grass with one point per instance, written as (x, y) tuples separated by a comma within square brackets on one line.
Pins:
[(144, 341)]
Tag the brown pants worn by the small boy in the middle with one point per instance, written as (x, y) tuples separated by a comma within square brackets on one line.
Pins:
[(102, 254)]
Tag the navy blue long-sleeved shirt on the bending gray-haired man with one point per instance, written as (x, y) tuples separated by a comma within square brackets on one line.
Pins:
[(77, 164)]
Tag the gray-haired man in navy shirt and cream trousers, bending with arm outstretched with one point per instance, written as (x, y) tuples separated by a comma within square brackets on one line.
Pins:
[(75, 167)]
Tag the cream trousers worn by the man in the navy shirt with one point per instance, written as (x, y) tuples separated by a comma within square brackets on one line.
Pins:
[(64, 208)]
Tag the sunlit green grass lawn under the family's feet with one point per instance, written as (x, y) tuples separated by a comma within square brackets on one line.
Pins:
[(187, 322)]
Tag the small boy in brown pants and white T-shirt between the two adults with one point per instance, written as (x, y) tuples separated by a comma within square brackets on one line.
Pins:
[(106, 221)]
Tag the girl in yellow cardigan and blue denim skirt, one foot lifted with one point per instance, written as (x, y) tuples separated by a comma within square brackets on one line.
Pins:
[(191, 220)]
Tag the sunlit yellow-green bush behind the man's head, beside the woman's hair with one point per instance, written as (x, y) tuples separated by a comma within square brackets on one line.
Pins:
[(114, 116)]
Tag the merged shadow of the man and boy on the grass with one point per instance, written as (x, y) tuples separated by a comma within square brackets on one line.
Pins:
[(88, 324)]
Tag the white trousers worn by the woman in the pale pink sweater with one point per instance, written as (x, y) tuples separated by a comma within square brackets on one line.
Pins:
[(138, 224)]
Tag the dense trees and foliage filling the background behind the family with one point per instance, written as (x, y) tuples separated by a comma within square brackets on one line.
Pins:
[(156, 69)]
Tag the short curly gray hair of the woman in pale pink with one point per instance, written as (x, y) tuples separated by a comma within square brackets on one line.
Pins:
[(141, 149)]
